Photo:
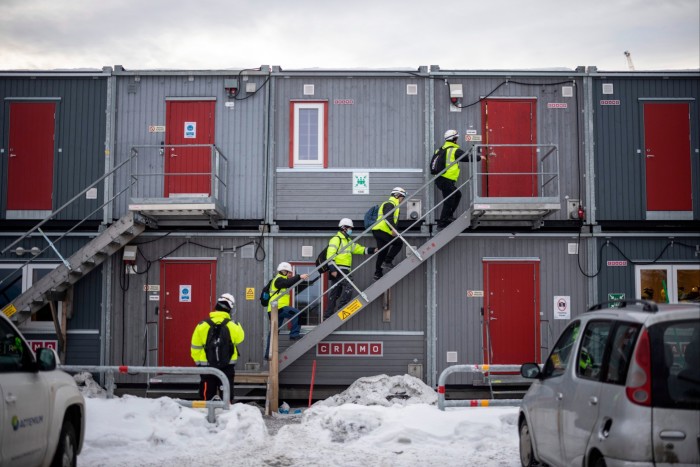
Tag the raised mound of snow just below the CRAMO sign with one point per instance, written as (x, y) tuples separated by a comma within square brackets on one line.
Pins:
[(385, 391)]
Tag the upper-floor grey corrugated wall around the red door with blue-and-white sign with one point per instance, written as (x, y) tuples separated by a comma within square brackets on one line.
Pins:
[(239, 133)]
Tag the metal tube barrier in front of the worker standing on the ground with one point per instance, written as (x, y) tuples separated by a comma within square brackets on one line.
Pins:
[(181, 370)]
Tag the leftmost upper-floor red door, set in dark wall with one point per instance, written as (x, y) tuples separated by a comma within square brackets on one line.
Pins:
[(30, 166)]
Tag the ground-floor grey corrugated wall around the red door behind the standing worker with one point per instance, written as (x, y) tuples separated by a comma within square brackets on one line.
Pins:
[(134, 318)]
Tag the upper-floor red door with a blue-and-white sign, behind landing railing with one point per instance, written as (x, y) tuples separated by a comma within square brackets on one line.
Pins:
[(188, 169)]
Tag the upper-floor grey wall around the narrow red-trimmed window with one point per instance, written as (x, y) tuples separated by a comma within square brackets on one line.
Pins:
[(383, 128)]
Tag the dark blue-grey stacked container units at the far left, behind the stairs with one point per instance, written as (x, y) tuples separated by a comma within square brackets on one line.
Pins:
[(53, 128)]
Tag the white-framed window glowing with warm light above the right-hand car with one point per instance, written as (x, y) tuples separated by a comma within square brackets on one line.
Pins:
[(668, 283)]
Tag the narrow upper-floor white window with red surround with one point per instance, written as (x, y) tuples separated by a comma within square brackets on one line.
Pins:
[(308, 141)]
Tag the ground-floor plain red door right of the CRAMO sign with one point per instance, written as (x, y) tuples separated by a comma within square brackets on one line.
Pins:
[(511, 312)]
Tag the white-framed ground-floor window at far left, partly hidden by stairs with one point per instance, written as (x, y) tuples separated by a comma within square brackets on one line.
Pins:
[(15, 281)]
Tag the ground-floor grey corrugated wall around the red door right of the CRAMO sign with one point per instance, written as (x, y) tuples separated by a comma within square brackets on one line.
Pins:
[(460, 268)]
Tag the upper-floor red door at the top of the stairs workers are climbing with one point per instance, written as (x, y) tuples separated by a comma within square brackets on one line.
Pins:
[(509, 121)]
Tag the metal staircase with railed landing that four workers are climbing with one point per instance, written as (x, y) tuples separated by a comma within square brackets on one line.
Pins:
[(480, 210)]
